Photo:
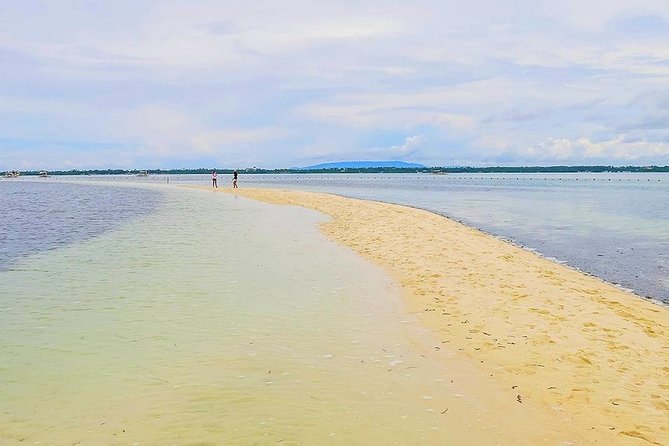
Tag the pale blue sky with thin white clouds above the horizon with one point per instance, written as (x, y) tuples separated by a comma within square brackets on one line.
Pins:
[(145, 84)]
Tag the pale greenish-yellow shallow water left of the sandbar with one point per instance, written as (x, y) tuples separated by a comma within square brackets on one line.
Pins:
[(217, 320)]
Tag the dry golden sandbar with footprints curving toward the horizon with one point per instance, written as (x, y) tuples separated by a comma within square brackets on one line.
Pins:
[(584, 350)]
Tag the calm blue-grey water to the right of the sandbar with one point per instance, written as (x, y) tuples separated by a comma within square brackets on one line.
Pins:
[(614, 226)]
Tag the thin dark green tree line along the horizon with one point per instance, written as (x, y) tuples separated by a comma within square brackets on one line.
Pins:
[(497, 169)]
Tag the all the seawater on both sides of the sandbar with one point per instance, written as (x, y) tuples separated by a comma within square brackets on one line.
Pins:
[(134, 312)]
